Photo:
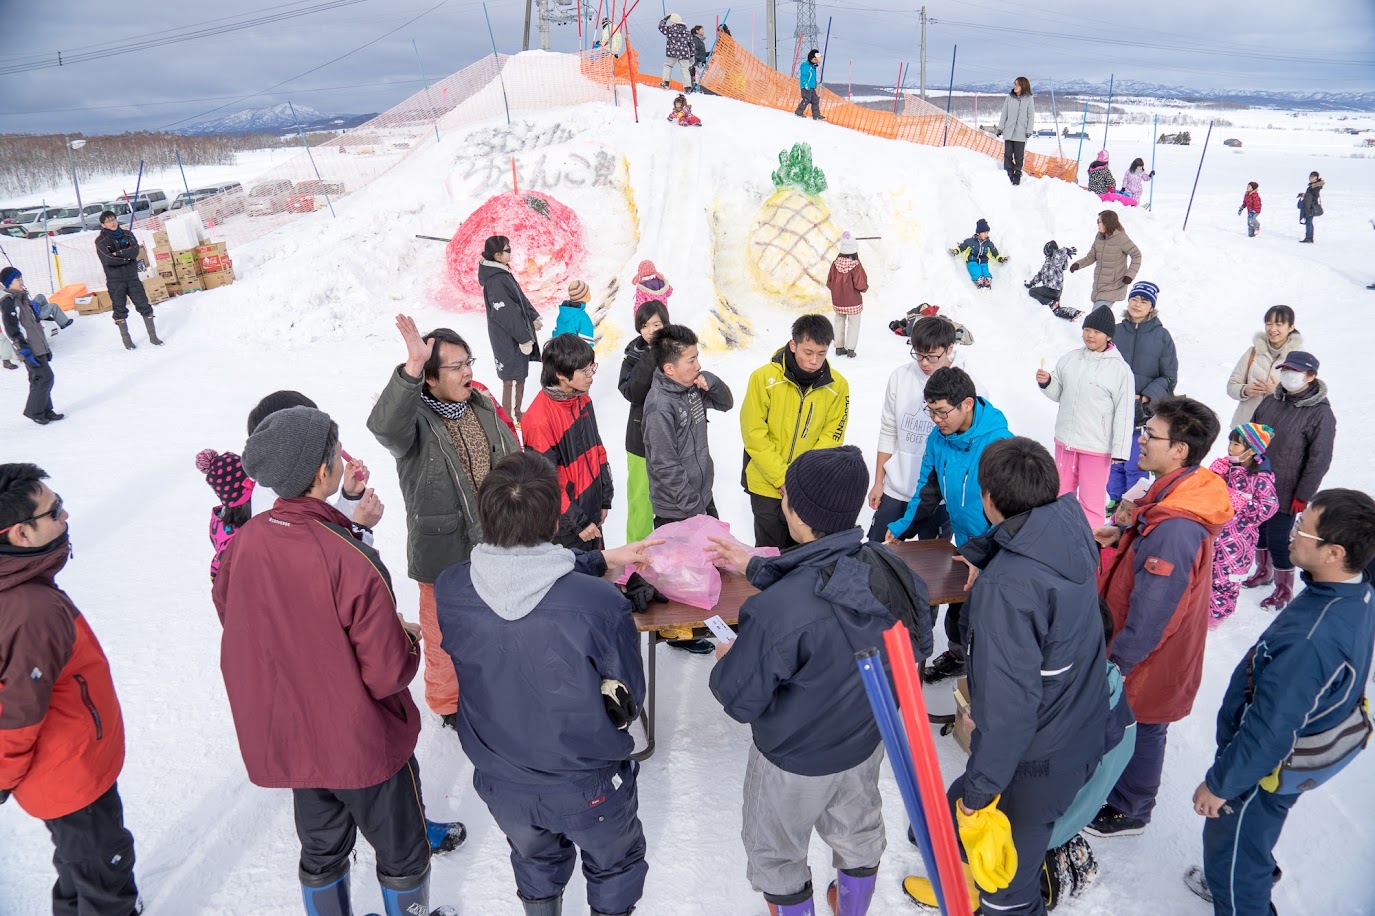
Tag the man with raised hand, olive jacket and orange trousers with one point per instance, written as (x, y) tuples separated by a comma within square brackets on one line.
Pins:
[(446, 435)]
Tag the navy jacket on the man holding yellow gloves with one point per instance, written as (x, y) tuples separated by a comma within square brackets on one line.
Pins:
[(1036, 650)]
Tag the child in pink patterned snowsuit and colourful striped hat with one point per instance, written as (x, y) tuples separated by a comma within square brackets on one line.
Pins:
[(1252, 483)]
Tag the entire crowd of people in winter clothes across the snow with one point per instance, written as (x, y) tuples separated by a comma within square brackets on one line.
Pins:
[(1097, 569)]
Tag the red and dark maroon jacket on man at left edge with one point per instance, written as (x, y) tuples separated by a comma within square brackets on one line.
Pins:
[(61, 730)]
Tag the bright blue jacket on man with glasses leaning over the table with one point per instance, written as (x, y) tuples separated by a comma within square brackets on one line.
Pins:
[(951, 472)]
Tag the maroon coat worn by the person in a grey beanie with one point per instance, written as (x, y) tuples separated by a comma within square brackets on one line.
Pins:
[(316, 661)]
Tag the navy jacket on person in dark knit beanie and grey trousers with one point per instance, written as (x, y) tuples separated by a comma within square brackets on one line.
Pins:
[(793, 673)]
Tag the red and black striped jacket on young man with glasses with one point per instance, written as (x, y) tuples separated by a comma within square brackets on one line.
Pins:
[(566, 433)]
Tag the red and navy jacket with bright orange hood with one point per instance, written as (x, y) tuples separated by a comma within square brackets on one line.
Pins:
[(1158, 585)]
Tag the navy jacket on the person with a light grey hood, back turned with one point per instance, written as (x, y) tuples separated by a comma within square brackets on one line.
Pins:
[(531, 710)]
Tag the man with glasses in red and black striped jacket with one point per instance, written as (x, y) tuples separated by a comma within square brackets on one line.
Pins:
[(562, 427)]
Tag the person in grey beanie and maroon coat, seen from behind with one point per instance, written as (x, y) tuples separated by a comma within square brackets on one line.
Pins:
[(314, 647)]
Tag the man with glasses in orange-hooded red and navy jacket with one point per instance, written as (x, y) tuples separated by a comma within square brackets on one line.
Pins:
[(1158, 585)]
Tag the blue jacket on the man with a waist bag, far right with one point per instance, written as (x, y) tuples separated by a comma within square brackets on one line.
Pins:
[(1310, 670)]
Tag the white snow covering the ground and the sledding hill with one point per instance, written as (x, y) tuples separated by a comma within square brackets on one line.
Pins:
[(314, 312)]
